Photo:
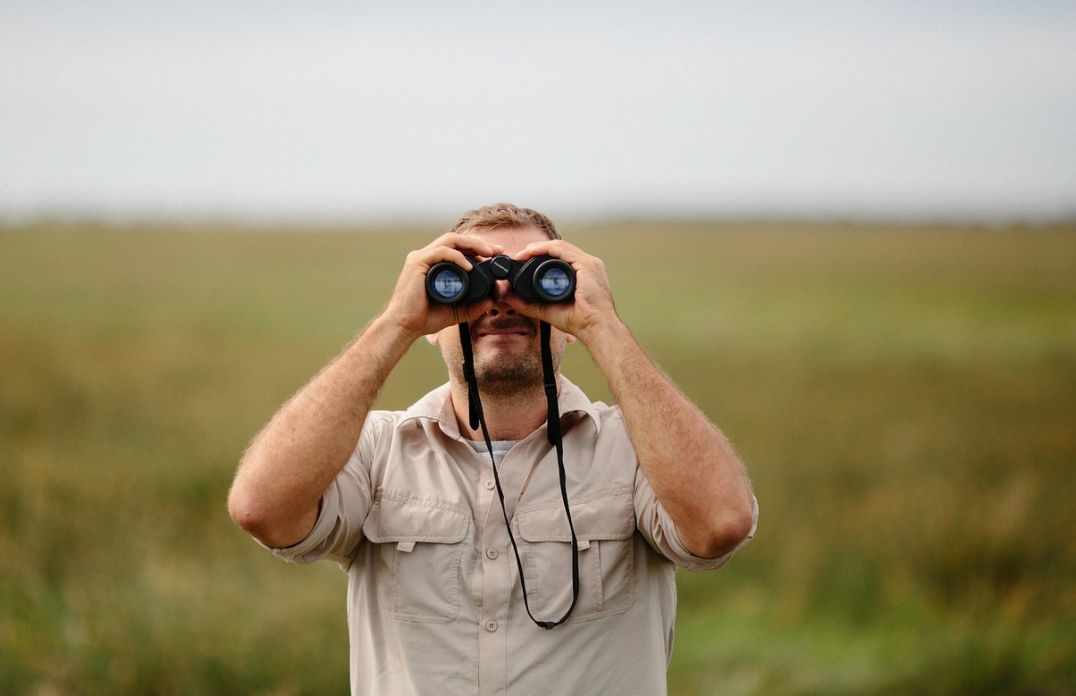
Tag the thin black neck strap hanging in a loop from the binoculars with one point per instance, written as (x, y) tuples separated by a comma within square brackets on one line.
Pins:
[(554, 433)]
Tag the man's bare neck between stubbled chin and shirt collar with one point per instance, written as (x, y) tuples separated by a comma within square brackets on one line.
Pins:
[(511, 417)]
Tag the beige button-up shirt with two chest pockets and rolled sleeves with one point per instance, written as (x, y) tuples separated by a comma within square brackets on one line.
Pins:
[(435, 604)]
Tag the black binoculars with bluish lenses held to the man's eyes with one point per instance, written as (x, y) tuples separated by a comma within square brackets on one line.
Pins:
[(542, 279)]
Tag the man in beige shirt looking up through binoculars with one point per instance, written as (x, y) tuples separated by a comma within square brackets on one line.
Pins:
[(407, 502)]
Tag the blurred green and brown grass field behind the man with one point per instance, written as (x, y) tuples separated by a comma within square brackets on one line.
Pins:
[(904, 399)]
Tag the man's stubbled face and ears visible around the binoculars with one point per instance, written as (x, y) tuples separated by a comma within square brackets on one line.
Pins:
[(507, 345)]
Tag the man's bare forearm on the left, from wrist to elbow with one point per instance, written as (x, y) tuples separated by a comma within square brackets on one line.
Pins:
[(292, 462)]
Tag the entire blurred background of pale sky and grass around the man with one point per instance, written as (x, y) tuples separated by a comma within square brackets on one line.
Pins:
[(847, 231)]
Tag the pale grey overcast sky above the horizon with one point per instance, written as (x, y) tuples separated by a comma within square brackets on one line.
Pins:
[(352, 110)]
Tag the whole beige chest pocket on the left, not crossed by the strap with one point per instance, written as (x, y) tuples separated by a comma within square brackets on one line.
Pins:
[(417, 548)]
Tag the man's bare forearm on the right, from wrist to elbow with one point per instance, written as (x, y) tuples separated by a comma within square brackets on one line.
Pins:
[(691, 466)]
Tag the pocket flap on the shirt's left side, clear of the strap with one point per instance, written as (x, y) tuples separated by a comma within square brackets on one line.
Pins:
[(399, 518)]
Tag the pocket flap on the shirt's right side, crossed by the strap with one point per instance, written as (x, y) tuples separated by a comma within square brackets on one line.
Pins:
[(604, 517)]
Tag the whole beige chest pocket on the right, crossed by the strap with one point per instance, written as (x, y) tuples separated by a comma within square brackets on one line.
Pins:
[(605, 530)]
